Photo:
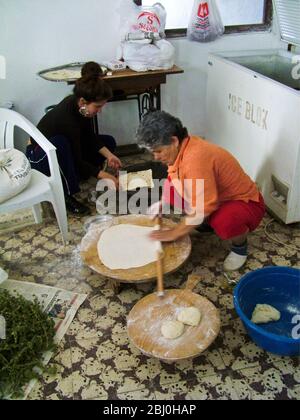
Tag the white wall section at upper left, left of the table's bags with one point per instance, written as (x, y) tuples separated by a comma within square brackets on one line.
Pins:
[(38, 34)]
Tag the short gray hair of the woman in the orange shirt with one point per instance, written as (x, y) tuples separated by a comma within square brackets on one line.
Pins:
[(157, 128)]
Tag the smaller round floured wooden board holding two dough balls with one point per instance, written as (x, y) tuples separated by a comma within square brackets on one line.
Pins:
[(147, 316)]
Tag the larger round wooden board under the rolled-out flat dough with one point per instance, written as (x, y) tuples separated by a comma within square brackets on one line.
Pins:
[(175, 253)]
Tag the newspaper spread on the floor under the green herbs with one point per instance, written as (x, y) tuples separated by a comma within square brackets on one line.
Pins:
[(61, 305)]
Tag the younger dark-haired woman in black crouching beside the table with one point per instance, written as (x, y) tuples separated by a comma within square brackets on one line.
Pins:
[(80, 151)]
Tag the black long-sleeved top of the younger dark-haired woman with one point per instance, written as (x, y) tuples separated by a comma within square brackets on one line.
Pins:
[(65, 119)]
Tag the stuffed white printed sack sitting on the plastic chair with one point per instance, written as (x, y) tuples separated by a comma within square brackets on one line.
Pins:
[(15, 173)]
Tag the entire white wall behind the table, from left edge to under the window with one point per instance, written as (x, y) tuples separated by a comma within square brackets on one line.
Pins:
[(38, 34)]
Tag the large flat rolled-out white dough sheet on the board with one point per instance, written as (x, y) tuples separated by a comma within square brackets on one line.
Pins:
[(127, 246)]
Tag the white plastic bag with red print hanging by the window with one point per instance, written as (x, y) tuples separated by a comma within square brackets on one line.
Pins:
[(205, 24)]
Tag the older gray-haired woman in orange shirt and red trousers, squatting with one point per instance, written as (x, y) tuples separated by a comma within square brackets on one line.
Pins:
[(228, 199)]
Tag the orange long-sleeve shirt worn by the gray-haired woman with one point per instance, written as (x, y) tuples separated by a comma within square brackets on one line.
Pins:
[(224, 179)]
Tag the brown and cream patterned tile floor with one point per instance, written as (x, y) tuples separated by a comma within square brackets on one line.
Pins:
[(96, 359)]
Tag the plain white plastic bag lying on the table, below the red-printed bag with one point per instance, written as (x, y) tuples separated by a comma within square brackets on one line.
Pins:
[(144, 57)]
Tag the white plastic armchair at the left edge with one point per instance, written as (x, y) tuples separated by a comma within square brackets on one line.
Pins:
[(41, 187)]
